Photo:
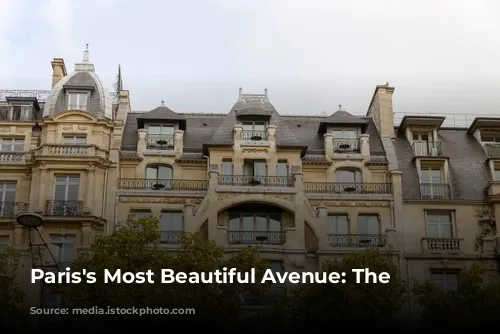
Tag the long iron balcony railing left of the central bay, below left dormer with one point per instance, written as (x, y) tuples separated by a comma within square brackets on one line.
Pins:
[(162, 184)]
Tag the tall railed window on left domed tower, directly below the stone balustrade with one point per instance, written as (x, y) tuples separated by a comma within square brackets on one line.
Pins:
[(66, 201)]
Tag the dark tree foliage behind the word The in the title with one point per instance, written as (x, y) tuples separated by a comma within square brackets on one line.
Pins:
[(344, 303)]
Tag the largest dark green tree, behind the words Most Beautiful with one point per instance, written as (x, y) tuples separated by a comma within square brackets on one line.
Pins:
[(134, 248)]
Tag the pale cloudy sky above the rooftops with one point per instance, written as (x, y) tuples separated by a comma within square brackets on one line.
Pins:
[(442, 56)]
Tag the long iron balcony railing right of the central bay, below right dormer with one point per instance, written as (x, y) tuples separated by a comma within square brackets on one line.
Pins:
[(347, 188)]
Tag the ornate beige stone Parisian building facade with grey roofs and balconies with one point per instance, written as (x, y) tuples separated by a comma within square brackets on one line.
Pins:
[(304, 188)]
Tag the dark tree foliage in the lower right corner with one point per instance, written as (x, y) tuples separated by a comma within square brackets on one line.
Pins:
[(474, 301)]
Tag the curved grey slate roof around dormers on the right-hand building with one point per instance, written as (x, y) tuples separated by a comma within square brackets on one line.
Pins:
[(468, 170)]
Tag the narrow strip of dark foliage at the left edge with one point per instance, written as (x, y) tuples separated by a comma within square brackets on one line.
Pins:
[(11, 294)]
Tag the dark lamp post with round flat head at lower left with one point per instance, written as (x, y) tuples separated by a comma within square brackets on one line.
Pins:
[(32, 221)]
